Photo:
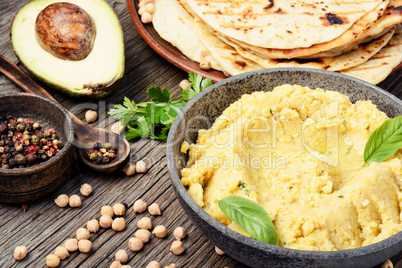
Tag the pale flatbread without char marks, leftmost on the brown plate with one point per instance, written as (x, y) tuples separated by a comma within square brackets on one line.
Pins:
[(176, 26)]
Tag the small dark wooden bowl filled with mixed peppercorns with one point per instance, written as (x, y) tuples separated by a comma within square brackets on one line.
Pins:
[(36, 147)]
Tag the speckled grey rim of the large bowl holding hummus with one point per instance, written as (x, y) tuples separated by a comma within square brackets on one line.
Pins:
[(253, 243)]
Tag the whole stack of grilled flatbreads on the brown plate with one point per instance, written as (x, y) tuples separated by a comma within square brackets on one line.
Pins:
[(361, 38)]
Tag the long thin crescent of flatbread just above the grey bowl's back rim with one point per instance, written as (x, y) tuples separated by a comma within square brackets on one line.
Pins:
[(341, 62)]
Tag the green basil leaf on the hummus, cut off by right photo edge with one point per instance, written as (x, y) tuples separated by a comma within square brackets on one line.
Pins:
[(384, 141)]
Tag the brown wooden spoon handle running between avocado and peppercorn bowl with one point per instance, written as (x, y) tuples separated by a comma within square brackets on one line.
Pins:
[(16, 75)]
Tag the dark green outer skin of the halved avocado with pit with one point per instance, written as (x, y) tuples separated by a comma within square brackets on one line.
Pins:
[(108, 91)]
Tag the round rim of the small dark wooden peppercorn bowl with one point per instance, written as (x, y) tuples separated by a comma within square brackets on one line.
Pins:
[(47, 163)]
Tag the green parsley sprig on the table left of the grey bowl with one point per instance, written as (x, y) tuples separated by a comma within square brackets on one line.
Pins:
[(154, 119)]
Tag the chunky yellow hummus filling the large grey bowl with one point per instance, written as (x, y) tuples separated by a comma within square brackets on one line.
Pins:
[(298, 153)]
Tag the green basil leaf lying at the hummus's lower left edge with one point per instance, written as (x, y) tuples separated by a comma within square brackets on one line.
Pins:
[(251, 217)]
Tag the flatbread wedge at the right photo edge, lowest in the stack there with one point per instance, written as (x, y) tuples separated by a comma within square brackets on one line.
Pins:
[(378, 67)]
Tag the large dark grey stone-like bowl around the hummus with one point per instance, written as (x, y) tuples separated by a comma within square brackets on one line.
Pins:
[(210, 104)]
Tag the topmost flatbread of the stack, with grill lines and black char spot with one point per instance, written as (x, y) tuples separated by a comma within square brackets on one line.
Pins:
[(282, 24)]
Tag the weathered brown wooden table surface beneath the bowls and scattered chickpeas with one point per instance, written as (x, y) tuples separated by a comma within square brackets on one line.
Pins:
[(45, 226)]
